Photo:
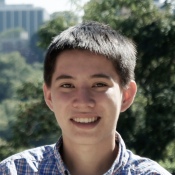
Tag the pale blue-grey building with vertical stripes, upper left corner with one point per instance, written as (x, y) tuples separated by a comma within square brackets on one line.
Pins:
[(26, 17)]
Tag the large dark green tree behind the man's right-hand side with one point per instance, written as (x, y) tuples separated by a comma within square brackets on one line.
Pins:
[(150, 121)]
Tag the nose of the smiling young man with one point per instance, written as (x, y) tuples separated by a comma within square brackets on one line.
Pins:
[(83, 99)]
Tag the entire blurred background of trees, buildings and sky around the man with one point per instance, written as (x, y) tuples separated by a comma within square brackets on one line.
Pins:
[(26, 29)]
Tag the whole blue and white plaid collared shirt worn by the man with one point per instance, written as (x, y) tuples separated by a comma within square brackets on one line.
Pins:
[(46, 160)]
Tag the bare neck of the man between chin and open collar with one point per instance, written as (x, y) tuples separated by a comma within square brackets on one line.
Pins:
[(94, 159)]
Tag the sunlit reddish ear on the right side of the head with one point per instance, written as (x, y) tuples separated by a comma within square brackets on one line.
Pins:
[(128, 95)]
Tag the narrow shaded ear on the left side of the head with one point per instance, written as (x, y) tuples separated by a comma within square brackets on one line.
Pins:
[(47, 96)]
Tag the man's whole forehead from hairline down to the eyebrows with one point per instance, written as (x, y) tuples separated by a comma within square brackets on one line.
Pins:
[(83, 64)]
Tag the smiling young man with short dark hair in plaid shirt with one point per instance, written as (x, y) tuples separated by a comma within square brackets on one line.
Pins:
[(88, 81)]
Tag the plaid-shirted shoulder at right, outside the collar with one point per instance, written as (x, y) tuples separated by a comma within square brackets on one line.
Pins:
[(142, 165)]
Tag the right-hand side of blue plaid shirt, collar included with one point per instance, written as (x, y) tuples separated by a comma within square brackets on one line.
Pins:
[(129, 163)]
